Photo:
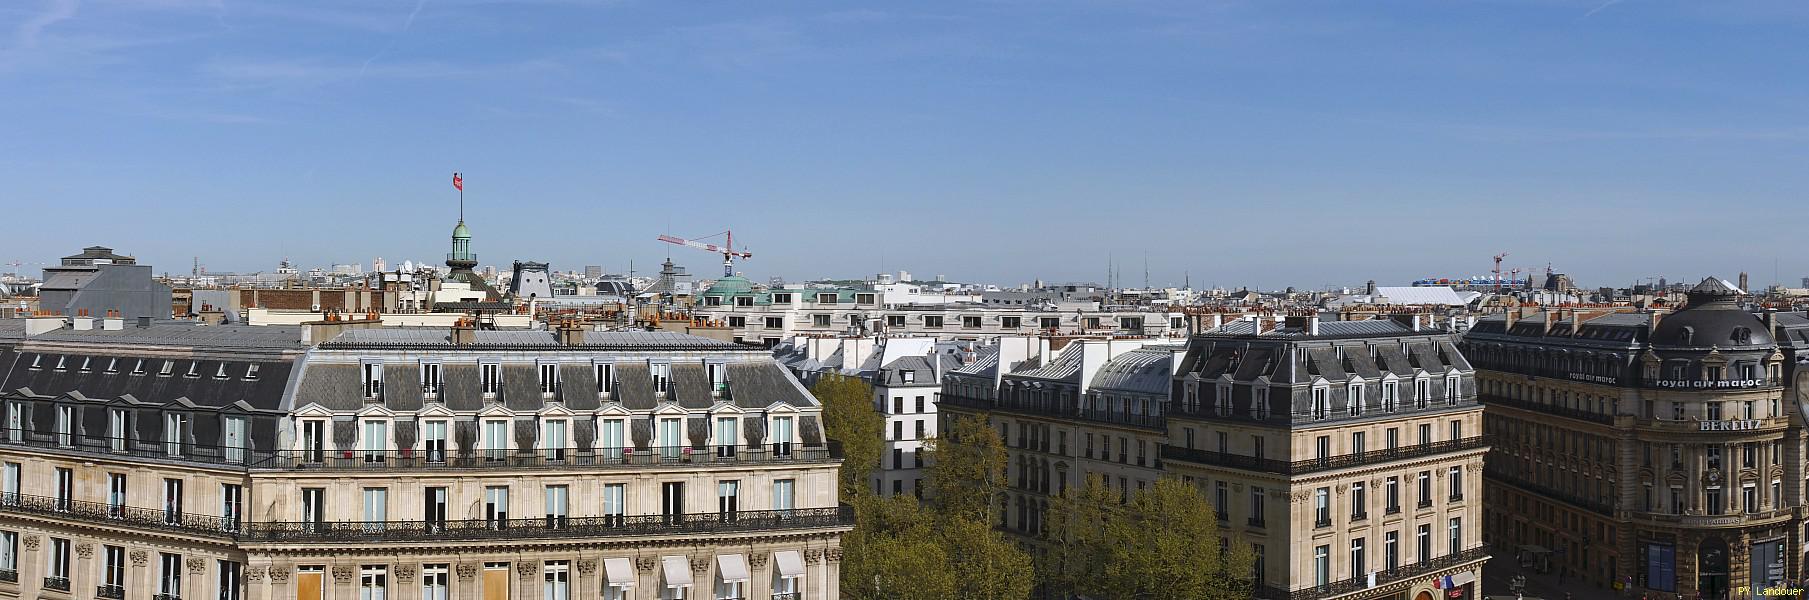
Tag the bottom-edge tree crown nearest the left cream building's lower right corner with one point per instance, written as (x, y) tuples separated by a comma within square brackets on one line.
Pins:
[(895, 552)]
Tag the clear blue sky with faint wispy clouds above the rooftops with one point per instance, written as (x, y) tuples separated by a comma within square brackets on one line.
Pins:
[(1242, 144)]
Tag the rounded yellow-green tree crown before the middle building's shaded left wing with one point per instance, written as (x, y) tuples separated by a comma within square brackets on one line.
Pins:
[(967, 469)]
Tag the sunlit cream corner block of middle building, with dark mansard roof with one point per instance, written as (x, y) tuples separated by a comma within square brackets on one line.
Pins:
[(1349, 455)]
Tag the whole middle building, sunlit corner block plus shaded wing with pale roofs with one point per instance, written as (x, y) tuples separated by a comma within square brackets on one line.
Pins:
[(1349, 455)]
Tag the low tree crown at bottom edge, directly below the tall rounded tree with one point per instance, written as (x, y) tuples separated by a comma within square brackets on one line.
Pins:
[(985, 565)]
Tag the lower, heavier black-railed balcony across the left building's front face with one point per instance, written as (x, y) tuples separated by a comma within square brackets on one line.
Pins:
[(540, 529)]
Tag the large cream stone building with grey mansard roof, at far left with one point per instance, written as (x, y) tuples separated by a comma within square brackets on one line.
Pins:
[(160, 462)]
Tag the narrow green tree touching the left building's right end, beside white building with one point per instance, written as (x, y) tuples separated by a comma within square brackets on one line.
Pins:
[(851, 420)]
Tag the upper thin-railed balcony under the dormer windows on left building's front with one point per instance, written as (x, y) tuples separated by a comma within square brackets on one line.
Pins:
[(544, 458)]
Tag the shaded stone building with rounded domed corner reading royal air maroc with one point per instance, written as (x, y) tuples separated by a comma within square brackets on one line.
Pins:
[(1643, 449)]
